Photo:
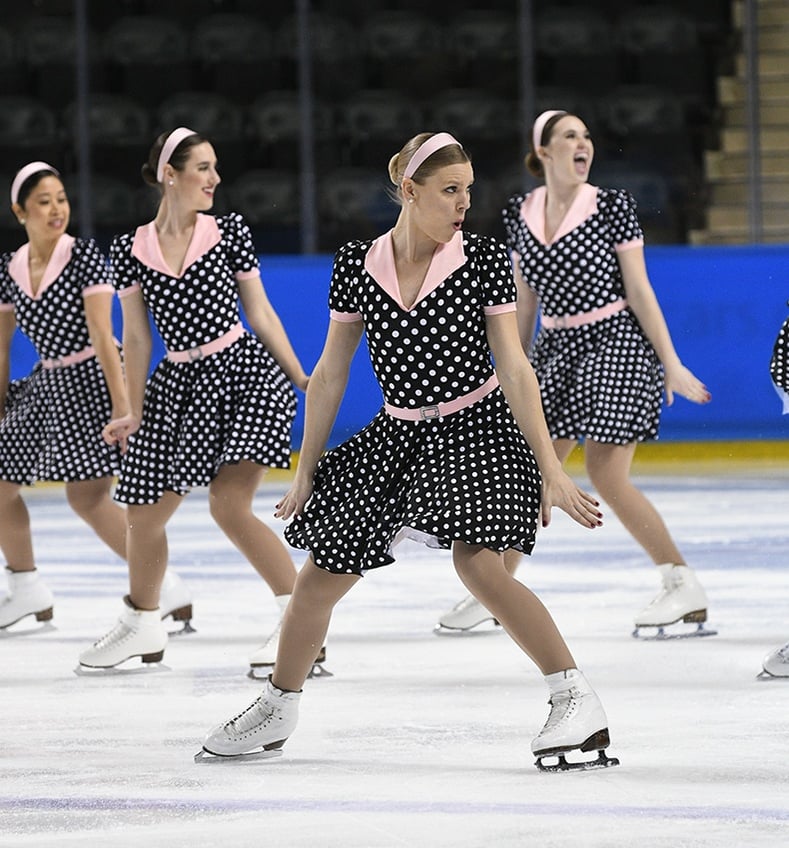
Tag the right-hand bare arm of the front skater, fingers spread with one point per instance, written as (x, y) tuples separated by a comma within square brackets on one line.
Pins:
[(522, 391)]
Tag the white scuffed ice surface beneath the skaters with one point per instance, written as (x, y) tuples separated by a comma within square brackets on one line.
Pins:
[(417, 739)]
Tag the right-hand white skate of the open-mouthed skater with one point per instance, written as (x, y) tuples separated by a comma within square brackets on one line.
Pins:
[(681, 598)]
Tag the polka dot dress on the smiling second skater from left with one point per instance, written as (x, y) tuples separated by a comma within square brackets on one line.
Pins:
[(200, 415)]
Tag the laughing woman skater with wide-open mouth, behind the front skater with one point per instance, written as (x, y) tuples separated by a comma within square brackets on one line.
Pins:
[(603, 356)]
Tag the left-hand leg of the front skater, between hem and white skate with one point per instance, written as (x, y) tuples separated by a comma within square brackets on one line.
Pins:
[(306, 622)]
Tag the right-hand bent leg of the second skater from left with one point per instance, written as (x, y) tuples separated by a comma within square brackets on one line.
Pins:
[(231, 495)]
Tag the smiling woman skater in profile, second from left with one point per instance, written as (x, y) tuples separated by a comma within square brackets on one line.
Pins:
[(217, 410)]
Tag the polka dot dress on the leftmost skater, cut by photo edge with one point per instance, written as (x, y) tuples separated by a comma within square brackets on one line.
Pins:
[(51, 429)]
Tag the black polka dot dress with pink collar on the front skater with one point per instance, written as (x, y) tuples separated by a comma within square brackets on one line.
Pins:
[(467, 476)]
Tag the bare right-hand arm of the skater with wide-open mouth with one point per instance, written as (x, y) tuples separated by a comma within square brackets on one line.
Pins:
[(642, 300)]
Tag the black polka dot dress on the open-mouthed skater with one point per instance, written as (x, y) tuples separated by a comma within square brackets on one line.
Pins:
[(601, 381)]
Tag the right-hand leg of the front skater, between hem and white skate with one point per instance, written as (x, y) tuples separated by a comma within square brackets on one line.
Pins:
[(518, 609)]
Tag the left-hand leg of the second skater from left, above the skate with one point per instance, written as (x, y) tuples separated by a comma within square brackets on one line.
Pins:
[(146, 544)]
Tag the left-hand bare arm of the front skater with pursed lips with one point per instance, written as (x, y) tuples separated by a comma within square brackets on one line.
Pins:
[(324, 394)]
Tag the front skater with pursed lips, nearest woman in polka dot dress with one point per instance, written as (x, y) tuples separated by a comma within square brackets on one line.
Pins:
[(459, 456)]
